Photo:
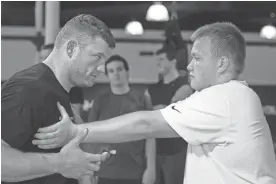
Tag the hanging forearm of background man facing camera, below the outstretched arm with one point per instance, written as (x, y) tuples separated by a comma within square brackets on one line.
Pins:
[(151, 153)]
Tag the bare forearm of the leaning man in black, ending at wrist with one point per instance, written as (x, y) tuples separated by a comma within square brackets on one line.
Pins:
[(18, 166)]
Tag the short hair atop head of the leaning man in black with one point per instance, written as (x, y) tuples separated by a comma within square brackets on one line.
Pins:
[(83, 28)]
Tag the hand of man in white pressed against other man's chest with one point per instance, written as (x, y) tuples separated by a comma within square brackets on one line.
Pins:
[(56, 135)]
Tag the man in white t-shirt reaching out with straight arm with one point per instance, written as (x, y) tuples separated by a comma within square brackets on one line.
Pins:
[(223, 121)]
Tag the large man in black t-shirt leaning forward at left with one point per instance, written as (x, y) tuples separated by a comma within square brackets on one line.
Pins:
[(29, 101)]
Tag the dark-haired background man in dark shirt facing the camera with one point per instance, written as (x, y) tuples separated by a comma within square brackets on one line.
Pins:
[(134, 162)]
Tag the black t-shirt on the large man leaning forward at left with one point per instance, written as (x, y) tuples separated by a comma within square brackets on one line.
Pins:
[(29, 101)]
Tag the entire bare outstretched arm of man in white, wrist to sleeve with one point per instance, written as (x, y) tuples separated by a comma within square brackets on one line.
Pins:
[(129, 127)]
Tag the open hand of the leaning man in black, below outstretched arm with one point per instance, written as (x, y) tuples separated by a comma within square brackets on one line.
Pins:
[(74, 163)]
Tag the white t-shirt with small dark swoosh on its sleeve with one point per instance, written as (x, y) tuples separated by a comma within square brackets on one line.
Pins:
[(228, 136)]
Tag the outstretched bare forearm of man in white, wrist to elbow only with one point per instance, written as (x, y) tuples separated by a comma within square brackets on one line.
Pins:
[(129, 127)]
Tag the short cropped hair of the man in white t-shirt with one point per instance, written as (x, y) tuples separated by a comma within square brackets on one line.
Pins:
[(226, 40)]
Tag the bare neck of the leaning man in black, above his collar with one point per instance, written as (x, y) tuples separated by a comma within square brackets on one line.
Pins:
[(60, 73)]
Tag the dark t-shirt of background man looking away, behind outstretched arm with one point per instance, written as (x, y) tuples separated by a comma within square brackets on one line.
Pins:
[(162, 94)]
